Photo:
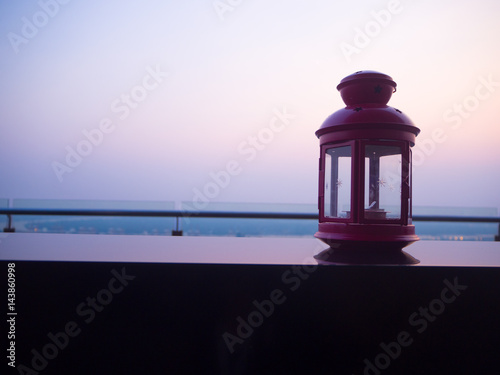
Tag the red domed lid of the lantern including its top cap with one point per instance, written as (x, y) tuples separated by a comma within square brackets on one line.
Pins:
[(366, 94)]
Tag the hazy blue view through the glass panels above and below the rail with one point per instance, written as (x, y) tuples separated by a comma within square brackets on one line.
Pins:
[(195, 226)]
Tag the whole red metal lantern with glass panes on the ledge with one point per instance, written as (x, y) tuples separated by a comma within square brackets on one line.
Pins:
[(365, 168)]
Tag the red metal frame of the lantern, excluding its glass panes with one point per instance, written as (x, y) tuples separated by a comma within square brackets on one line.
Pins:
[(367, 121)]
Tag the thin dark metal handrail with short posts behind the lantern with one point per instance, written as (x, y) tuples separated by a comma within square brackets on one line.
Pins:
[(9, 212)]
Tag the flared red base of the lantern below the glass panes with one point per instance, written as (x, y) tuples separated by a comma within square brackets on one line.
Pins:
[(372, 237)]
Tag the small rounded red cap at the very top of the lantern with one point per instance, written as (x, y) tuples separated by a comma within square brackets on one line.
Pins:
[(366, 87)]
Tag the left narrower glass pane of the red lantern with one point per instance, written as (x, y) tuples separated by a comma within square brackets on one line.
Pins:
[(337, 189)]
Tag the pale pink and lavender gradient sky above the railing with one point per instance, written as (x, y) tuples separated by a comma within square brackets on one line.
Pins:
[(220, 75)]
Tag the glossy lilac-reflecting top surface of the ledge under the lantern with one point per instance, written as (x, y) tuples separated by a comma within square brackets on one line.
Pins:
[(231, 250)]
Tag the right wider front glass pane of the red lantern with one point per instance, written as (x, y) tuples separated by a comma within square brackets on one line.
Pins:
[(383, 171)]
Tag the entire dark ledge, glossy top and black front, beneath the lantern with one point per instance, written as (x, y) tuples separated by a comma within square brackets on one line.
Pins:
[(226, 305)]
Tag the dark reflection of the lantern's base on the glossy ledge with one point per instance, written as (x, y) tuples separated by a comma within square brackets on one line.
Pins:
[(332, 256)]
